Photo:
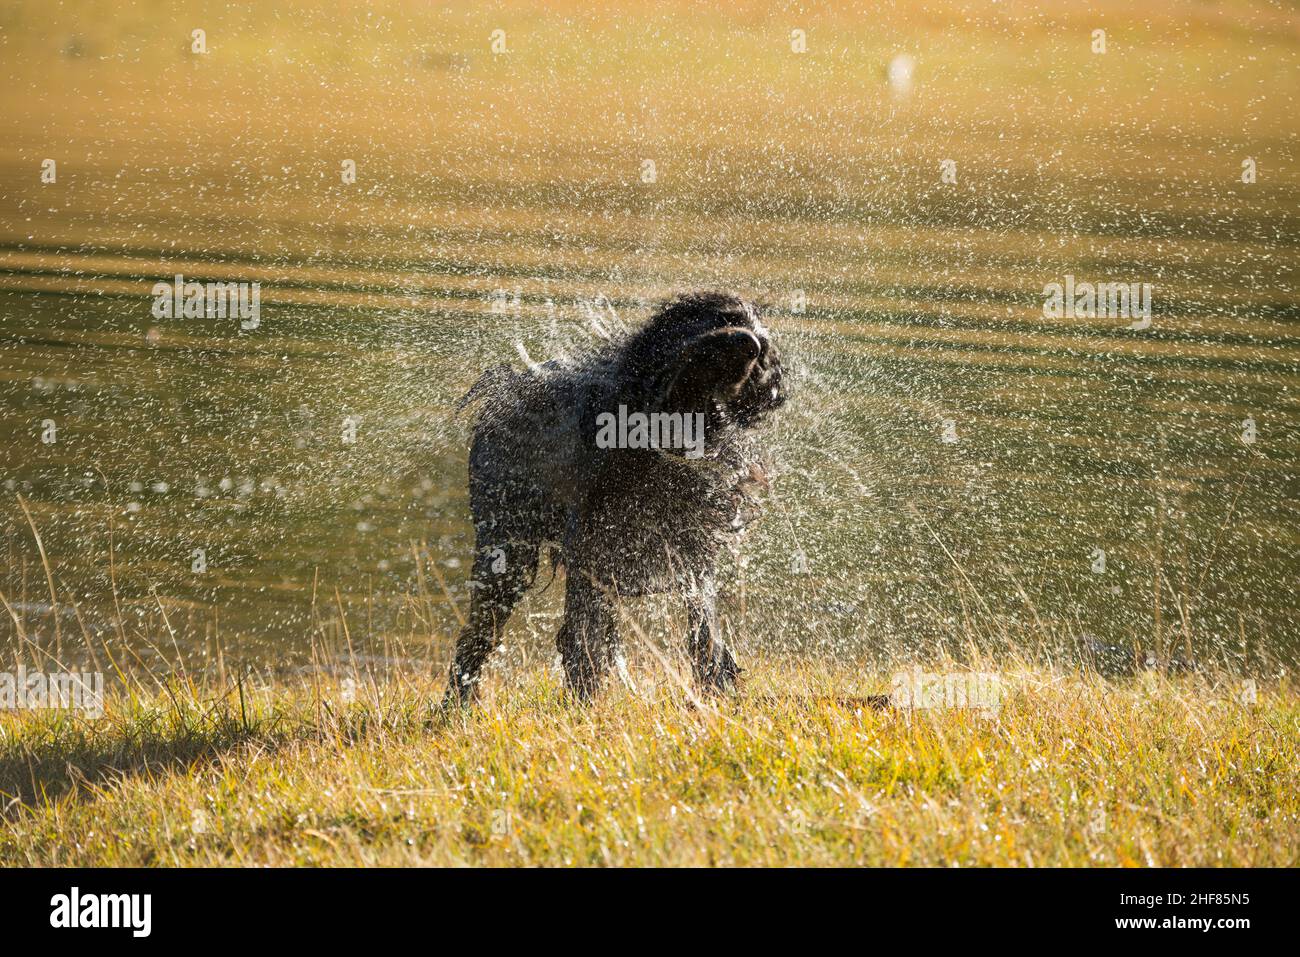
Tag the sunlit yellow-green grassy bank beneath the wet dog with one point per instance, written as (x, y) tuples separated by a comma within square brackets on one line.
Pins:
[(1073, 770)]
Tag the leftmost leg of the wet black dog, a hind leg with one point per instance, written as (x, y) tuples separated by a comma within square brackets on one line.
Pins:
[(502, 574)]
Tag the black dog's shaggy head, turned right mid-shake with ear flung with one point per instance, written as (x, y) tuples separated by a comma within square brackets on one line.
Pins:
[(708, 353)]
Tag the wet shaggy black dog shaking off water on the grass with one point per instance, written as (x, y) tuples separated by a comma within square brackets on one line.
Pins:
[(561, 458)]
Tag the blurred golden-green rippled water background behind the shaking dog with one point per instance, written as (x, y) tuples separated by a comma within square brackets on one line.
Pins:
[(959, 473)]
